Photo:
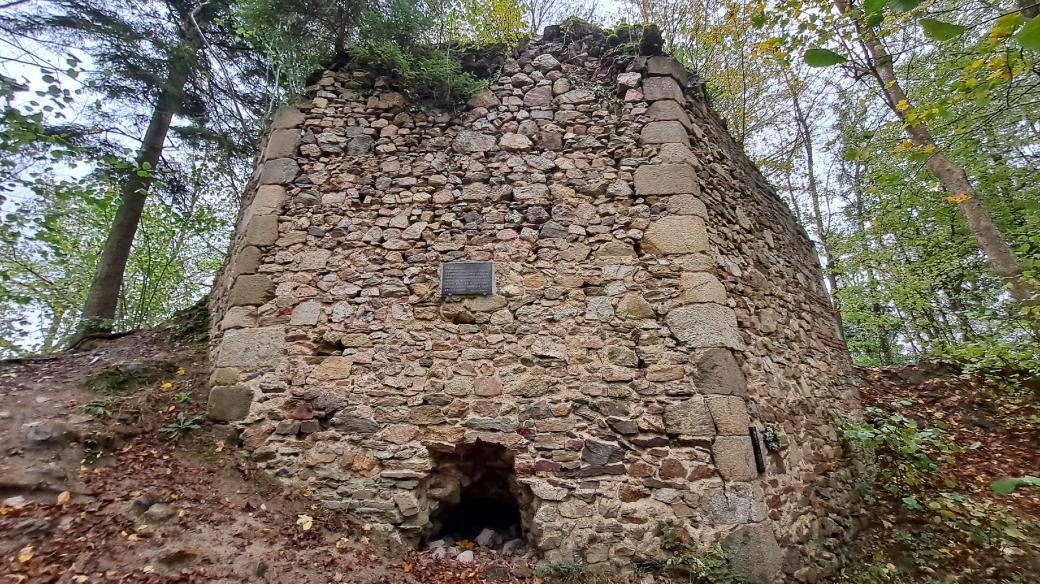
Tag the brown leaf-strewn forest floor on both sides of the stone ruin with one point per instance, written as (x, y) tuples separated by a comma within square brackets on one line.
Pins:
[(110, 473)]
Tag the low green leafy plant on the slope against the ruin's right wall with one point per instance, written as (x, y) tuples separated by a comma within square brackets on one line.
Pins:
[(908, 456)]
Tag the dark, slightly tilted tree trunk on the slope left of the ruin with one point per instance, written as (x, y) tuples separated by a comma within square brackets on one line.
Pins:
[(99, 313)]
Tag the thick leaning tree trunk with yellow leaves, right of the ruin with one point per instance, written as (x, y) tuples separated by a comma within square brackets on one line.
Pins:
[(954, 179)]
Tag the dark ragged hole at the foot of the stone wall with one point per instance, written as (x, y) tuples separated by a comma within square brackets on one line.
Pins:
[(475, 490)]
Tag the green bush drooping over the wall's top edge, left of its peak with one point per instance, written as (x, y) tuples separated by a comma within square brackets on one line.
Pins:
[(432, 74)]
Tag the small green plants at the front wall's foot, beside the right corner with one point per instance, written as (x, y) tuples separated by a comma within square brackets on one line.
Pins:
[(690, 560)]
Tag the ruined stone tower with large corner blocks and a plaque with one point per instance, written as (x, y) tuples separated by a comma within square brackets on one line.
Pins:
[(571, 304)]
